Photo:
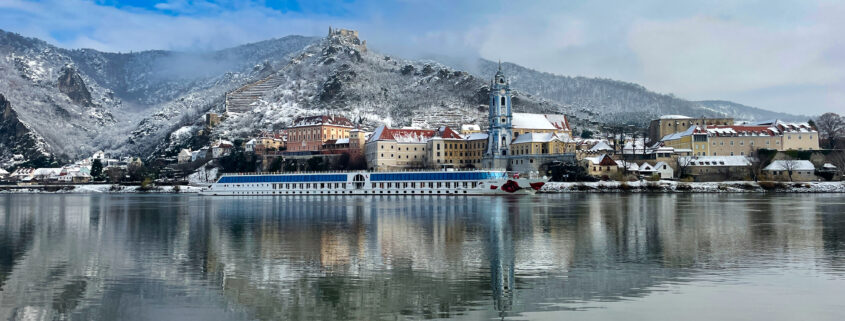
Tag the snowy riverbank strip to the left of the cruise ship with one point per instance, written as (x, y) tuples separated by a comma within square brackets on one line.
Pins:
[(97, 188)]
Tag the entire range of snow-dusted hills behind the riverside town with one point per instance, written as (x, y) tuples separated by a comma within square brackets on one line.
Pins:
[(69, 103)]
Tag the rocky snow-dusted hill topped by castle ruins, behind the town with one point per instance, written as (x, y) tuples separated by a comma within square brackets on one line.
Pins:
[(339, 76)]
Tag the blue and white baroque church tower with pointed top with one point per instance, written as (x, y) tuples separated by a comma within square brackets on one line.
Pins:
[(500, 131)]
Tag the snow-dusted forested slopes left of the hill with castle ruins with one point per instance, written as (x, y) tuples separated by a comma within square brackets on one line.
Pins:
[(79, 101)]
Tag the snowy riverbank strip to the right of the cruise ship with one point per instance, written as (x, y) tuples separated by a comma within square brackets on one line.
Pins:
[(695, 187)]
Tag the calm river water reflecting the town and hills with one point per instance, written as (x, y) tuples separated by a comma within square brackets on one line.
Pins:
[(546, 257)]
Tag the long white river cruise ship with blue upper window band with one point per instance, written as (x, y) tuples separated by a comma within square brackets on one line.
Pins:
[(377, 183)]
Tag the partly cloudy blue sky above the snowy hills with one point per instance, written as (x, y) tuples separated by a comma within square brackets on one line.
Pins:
[(786, 56)]
